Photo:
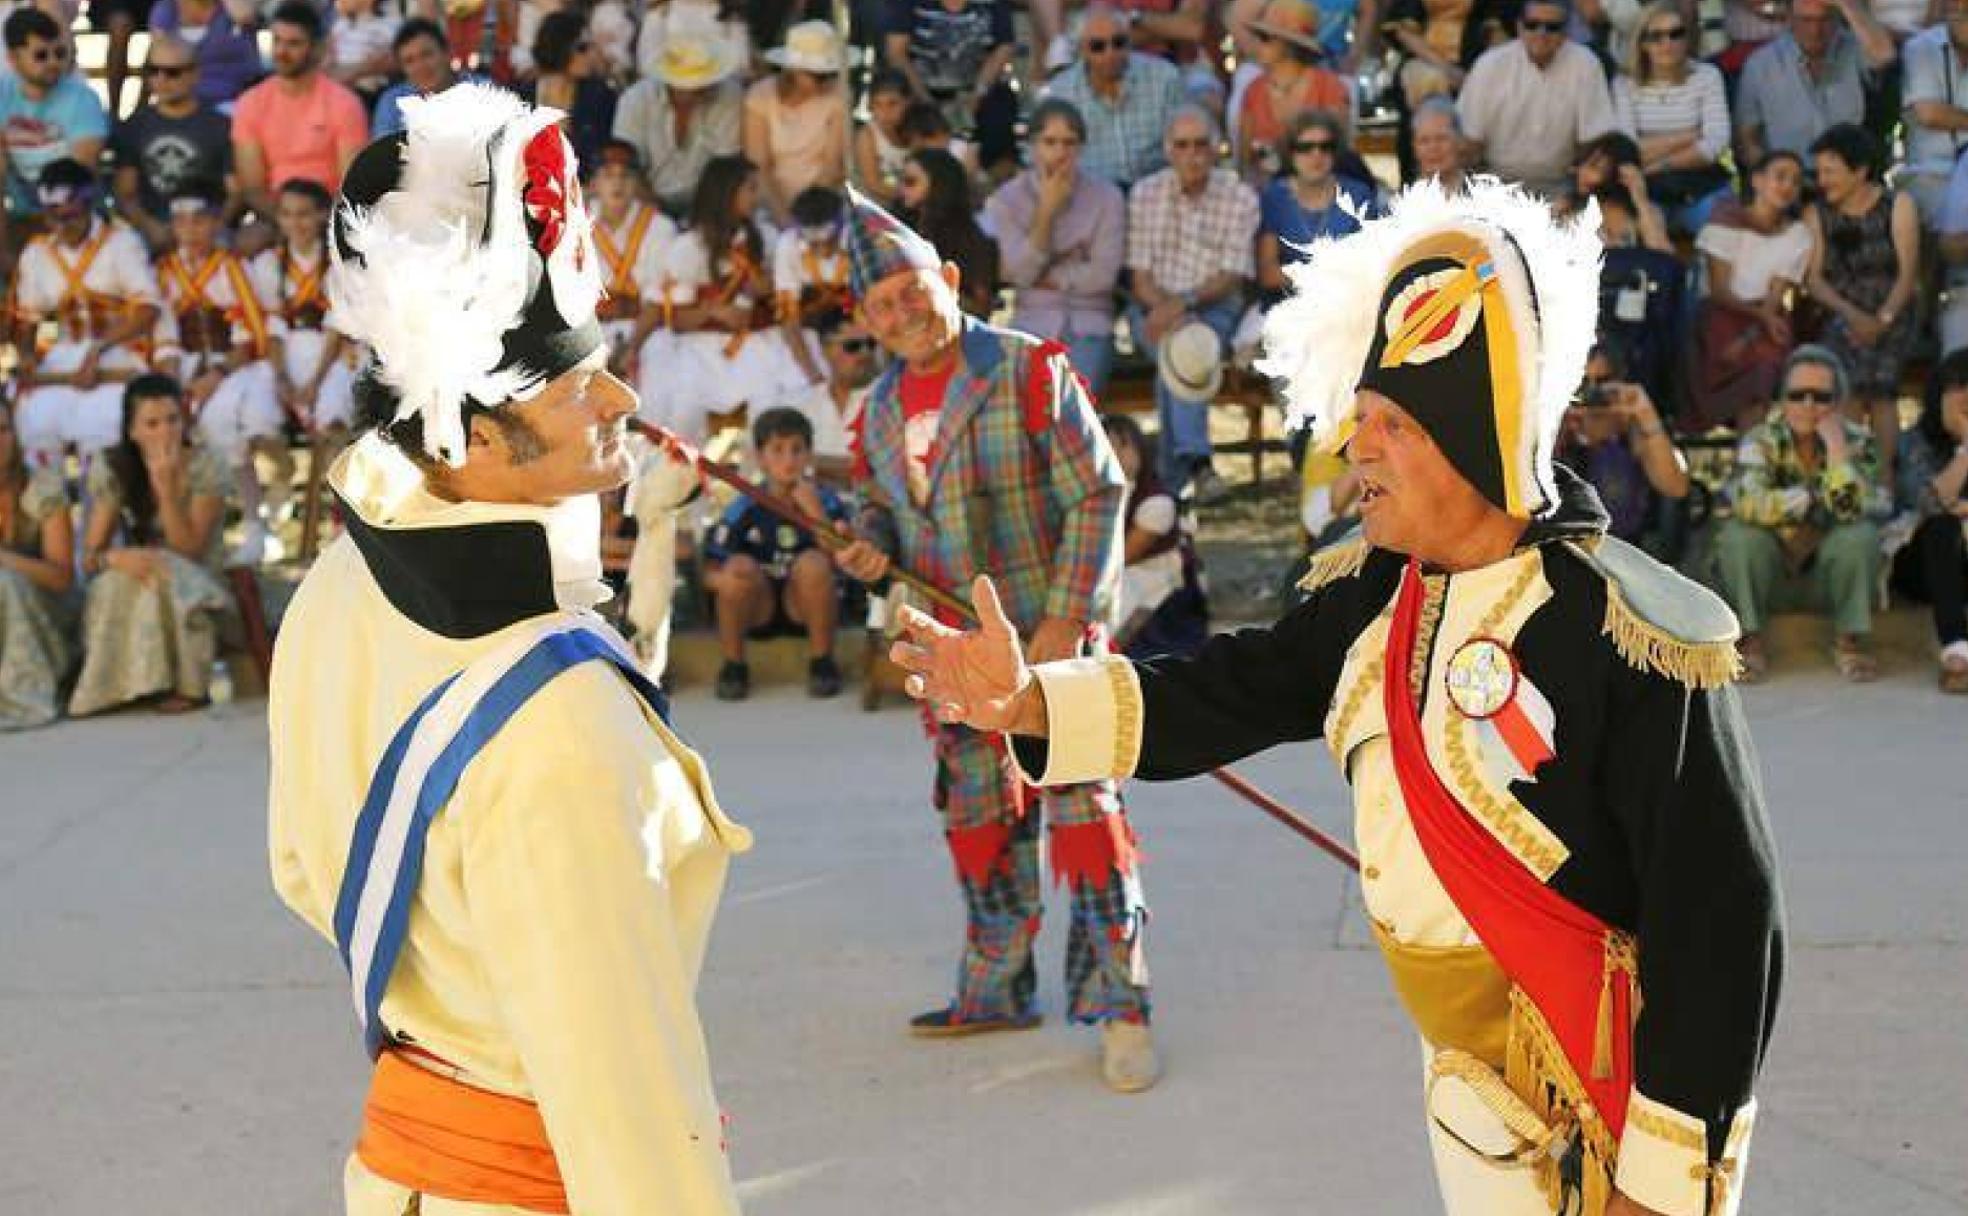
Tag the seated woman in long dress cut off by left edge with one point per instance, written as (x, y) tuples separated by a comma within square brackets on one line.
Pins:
[(36, 574)]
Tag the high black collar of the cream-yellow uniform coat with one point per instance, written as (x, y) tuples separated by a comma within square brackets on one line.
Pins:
[(461, 581)]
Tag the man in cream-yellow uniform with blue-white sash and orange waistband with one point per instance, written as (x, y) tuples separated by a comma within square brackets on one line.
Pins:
[(475, 792)]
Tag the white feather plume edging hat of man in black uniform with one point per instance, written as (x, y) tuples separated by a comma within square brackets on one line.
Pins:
[(1318, 339)]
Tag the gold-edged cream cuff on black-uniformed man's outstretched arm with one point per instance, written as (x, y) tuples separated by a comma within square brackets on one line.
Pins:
[(1093, 711)]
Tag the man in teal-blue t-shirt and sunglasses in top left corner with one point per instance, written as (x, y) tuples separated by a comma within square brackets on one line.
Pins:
[(46, 113)]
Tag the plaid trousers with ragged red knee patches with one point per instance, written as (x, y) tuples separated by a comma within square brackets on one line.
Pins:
[(993, 825)]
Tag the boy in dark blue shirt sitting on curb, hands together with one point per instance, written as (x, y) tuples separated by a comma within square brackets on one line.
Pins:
[(770, 578)]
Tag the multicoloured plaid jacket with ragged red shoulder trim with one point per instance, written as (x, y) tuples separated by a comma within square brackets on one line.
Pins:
[(1024, 485)]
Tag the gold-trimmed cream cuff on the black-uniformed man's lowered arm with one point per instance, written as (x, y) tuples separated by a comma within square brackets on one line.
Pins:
[(1664, 1160)]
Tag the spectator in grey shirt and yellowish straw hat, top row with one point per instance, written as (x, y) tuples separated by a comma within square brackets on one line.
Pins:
[(686, 113)]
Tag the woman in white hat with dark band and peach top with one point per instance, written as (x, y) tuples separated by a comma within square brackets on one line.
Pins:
[(796, 121)]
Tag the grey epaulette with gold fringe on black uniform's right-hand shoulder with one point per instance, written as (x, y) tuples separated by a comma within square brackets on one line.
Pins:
[(1660, 621)]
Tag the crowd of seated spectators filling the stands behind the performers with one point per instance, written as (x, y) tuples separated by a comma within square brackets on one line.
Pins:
[(1778, 184)]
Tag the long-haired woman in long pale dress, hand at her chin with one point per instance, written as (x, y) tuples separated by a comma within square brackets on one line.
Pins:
[(151, 550)]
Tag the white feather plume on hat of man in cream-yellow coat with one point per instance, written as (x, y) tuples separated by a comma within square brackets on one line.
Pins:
[(436, 290)]
